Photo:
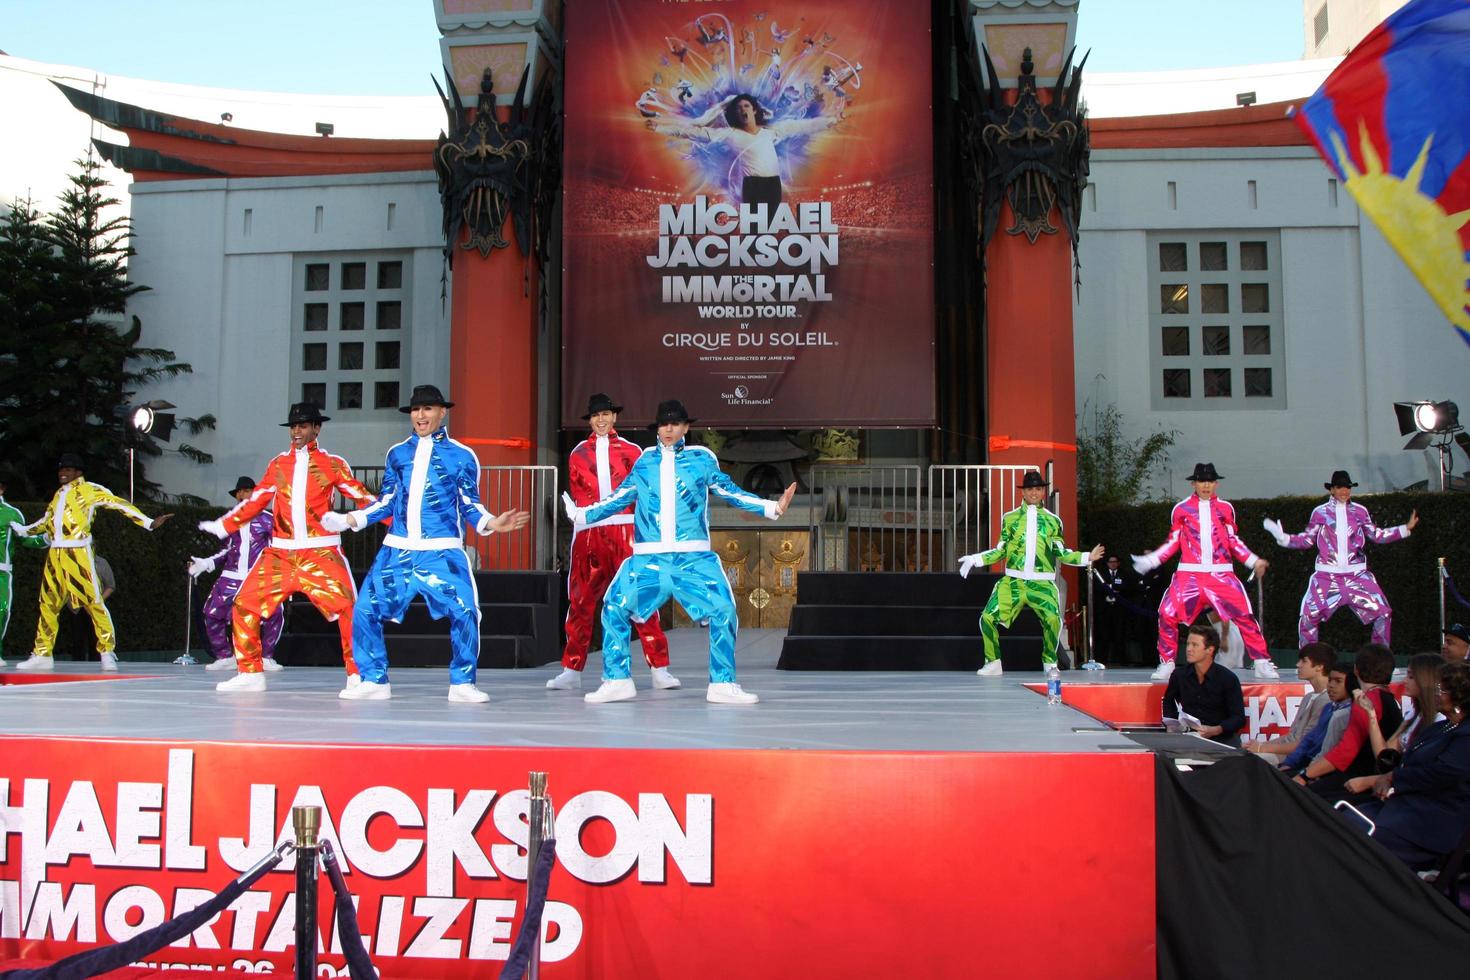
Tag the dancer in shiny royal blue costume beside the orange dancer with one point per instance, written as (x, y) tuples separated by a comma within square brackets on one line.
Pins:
[(430, 489)]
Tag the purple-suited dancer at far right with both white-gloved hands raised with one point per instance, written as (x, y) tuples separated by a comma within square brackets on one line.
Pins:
[(1340, 530)]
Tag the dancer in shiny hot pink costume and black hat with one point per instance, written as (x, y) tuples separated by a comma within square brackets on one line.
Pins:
[(1203, 533)]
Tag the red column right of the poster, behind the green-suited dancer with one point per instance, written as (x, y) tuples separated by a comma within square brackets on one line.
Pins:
[(1030, 384)]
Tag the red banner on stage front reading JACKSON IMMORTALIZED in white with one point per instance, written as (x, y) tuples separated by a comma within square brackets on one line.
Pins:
[(670, 863)]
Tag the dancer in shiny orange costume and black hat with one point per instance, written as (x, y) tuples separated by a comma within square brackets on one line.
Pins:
[(304, 556)]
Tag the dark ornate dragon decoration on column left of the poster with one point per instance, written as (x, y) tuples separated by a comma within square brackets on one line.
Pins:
[(493, 171)]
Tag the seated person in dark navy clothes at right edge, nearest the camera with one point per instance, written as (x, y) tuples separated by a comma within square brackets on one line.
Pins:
[(1424, 806)]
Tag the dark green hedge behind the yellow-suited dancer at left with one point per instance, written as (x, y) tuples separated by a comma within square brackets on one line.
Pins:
[(149, 606)]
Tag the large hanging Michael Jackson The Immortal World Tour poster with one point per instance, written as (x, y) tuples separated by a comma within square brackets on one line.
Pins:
[(749, 217)]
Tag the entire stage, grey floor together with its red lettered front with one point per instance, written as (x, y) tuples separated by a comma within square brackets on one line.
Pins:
[(847, 821)]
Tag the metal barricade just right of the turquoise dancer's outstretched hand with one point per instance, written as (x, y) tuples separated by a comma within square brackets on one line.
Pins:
[(867, 518)]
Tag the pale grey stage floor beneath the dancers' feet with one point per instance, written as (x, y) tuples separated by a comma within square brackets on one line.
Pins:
[(799, 710)]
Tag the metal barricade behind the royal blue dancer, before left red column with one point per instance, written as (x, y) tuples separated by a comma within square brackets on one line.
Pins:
[(502, 489)]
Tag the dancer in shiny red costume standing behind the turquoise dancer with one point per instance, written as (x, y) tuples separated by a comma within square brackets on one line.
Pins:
[(595, 471)]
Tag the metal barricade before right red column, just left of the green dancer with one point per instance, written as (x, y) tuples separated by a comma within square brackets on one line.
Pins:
[(965, 506)]
